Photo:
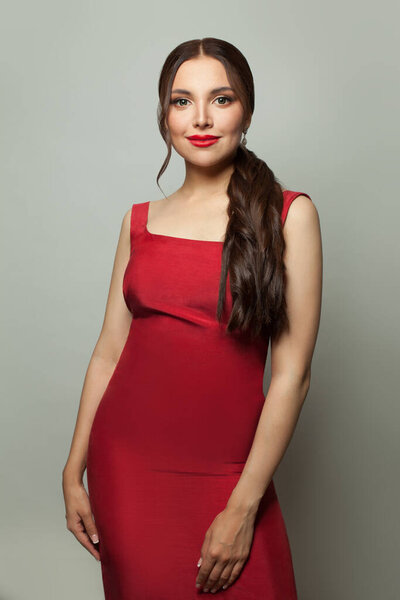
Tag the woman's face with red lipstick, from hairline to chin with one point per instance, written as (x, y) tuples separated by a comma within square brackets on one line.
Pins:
[(199, 108)]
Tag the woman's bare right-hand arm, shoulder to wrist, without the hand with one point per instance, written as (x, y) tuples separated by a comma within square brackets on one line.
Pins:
[(291, 356)]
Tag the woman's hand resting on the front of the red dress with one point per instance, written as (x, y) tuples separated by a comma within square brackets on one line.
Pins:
[(225, 549)]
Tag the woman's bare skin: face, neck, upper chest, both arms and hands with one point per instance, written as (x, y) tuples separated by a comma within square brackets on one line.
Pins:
[(198, 211)]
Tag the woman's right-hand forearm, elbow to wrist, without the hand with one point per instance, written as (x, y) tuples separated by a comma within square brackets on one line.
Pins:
[(275, 428)]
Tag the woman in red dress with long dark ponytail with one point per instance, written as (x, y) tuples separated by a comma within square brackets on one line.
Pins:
[(179, 442)]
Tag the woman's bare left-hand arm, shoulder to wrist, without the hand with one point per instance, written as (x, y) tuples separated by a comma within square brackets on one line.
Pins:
[(112, 338)]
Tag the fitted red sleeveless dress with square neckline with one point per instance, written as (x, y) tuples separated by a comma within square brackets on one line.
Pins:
[(174, 429)]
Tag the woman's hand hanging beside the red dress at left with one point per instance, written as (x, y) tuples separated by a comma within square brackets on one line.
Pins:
[(79, 515)]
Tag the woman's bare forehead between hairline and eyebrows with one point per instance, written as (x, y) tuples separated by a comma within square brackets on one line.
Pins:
[(202, 73)]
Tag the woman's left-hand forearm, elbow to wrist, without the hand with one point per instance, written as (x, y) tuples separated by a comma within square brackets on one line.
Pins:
[(97, 376)]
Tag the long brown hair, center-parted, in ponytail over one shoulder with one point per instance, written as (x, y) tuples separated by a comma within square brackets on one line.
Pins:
[(254, 244)]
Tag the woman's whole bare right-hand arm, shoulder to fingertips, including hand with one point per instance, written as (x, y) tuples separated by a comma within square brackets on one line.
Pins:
[(230, 534)]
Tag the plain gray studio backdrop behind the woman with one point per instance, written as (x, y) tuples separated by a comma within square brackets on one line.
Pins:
[(80, 144)]
